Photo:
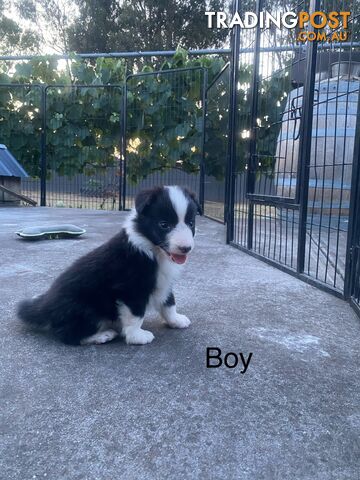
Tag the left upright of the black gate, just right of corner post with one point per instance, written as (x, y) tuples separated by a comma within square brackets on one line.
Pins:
[(251, 173)]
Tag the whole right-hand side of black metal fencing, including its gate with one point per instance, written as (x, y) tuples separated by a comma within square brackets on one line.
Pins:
[(292, 150)]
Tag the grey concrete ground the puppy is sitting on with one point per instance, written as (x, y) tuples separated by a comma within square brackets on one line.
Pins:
[(156, 412)]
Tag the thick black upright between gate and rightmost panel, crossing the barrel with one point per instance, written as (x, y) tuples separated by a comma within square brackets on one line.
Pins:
[(305, 139)]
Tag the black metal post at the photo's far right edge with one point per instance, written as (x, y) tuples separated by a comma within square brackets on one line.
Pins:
[(353, 237)]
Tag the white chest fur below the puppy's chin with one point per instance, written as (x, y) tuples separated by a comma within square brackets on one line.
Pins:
[(167, 274)]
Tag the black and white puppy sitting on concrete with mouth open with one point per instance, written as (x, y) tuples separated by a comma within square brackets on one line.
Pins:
[(107, 291)]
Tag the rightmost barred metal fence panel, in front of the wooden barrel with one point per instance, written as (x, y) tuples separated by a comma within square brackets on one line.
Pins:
[(331, 160)]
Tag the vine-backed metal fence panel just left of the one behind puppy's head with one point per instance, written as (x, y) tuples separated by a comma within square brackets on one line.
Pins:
[(83, 137)]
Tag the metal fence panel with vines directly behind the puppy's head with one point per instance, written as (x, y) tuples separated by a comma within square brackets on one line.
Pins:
[(164, 130)]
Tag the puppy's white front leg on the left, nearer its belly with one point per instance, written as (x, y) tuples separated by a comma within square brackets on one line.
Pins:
[(131, 327)]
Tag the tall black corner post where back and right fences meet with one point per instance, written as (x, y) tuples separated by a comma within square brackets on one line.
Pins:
[(231, 163)]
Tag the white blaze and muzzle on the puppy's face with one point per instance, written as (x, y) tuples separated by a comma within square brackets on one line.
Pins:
[(181, 235)]
